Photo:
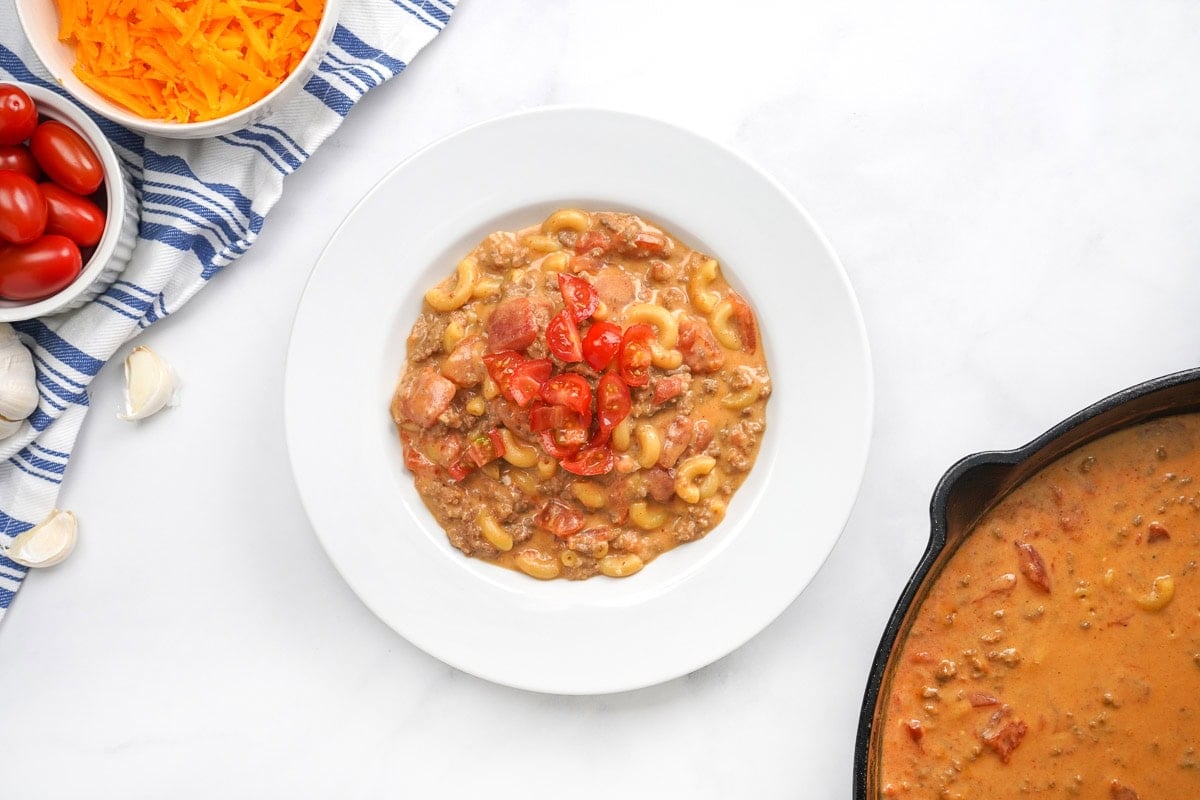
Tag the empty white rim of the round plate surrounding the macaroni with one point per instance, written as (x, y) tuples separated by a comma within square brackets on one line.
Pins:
[(695, 604)]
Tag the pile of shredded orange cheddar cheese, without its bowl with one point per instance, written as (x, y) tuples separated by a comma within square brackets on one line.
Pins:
[(188, 61)]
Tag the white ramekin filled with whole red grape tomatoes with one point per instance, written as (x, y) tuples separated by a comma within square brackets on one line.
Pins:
[(68, 212)]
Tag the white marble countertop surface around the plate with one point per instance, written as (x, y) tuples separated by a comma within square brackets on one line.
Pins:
[(1015, 190)]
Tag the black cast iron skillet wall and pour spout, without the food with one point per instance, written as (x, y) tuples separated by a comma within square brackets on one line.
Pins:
[(969, 490)]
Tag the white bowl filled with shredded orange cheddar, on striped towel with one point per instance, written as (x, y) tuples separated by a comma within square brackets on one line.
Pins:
[(215, 105)]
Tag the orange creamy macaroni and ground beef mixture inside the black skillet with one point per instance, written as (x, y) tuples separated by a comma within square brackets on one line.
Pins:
[(1058, 654)]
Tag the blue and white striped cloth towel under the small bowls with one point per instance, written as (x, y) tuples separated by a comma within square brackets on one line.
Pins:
[(203, 206)]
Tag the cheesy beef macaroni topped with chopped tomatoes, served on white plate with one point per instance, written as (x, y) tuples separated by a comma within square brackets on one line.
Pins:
[(581, 396)]
